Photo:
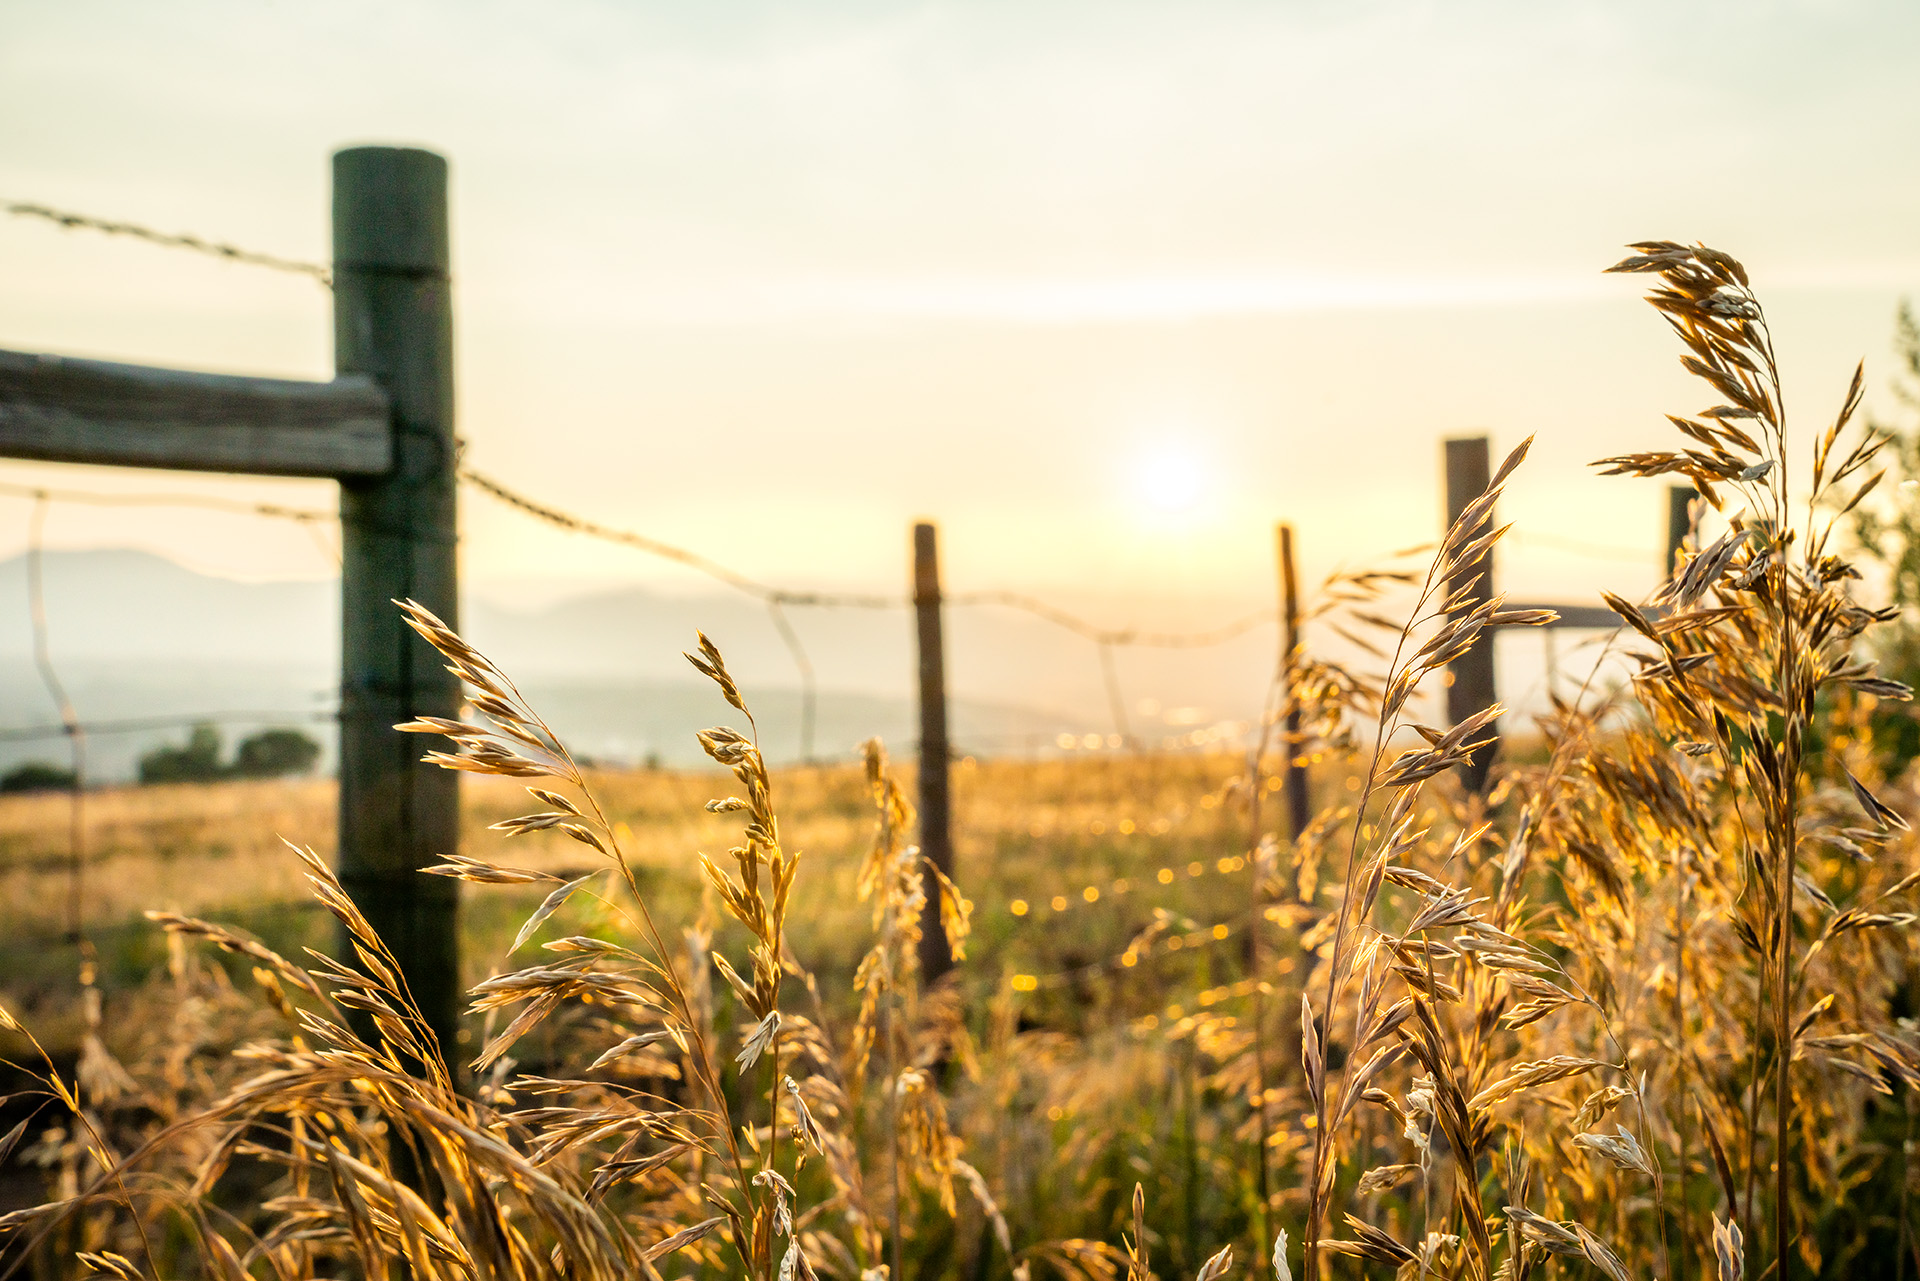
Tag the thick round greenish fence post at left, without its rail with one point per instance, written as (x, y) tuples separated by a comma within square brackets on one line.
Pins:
[(395, 322)]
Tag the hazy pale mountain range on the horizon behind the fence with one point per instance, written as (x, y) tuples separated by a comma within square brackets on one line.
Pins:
[(143, 640)]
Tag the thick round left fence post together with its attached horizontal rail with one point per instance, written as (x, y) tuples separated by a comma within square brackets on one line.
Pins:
[(385, 431)]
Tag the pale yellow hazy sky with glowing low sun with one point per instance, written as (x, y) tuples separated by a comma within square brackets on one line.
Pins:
[(1103, 287)]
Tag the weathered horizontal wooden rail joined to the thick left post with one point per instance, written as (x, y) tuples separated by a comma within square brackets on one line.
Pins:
[(64, 410)]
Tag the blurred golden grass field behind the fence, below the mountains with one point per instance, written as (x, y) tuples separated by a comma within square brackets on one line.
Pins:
[(1028, 834)]
